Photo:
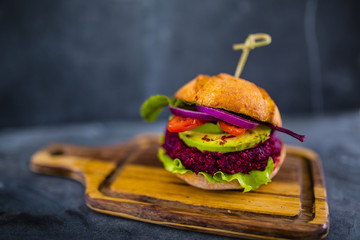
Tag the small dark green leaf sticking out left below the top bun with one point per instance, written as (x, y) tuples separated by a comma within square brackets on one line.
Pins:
[(153, 106)]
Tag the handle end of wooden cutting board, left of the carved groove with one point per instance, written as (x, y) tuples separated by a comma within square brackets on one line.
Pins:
[(81, 162)]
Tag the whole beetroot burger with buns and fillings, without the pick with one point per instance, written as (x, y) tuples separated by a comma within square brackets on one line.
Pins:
[(222, 133)]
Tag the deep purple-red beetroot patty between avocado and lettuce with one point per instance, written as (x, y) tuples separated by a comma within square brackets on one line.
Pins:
[(233, 162)]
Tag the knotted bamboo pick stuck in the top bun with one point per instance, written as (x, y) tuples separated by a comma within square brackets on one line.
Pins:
[(251, 42)]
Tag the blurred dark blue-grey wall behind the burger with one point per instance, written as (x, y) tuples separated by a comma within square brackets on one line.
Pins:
[(79, 61)]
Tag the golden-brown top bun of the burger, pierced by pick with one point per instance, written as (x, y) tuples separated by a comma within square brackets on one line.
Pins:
[(232, 94)]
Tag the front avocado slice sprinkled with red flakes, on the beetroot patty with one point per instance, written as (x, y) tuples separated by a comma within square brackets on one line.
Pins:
[(224, 142)]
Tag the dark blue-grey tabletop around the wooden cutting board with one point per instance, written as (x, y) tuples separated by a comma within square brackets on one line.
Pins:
[(39, 206)]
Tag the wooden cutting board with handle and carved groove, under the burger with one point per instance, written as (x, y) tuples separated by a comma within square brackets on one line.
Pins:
[(128, 180)]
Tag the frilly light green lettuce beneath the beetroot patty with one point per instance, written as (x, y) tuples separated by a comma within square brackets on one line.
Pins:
[(251, 181)]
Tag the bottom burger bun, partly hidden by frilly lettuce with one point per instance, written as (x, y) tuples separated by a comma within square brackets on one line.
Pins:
[(200, 181)]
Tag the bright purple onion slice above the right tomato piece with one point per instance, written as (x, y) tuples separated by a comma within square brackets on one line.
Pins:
[(228, 117)]
